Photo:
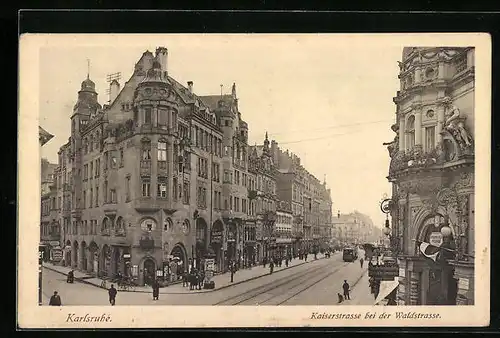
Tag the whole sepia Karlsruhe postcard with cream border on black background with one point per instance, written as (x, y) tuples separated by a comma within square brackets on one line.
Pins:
[(331, 175)]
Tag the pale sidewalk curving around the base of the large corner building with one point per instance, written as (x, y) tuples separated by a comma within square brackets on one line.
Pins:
[(221, 281)]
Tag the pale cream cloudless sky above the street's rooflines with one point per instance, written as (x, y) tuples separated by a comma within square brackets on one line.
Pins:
[(326, 99)]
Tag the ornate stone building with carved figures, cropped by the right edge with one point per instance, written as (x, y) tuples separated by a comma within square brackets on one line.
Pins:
[(432, 174)]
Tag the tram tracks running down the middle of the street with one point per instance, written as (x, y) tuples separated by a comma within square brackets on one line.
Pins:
[(295, 280)]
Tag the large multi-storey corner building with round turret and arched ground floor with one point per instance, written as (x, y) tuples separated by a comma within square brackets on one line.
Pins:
[(157, 173)]
